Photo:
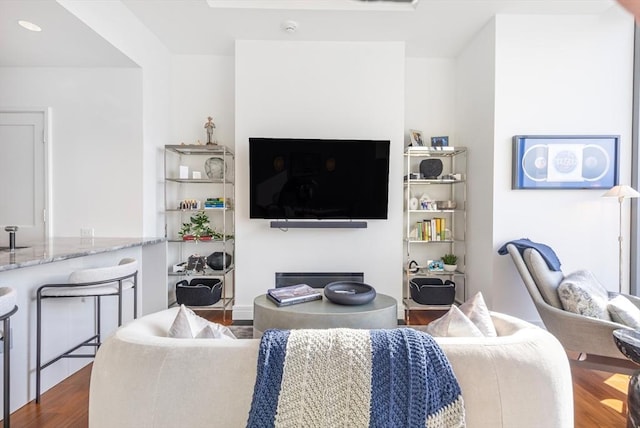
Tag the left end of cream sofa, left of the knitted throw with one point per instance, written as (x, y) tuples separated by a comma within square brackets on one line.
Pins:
[(141, 379)]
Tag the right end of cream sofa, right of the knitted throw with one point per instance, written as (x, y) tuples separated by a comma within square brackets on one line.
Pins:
[(520, 379)]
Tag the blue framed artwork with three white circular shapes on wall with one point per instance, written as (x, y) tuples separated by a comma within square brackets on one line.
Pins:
[(565, 162)]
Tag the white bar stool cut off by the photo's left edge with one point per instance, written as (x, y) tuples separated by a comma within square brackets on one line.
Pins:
[(8, 297)]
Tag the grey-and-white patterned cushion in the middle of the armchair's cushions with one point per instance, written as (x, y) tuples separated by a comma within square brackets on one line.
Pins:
[(580, 292)]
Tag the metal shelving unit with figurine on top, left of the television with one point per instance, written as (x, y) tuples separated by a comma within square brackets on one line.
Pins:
[(178, 188)]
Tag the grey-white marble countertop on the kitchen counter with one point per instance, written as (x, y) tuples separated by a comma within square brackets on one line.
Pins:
[(56, 249)]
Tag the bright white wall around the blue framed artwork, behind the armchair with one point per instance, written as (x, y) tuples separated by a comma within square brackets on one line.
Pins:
[(559, 75)]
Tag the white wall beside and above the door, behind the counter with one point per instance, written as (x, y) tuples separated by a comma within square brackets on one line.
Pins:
[(95, 148)]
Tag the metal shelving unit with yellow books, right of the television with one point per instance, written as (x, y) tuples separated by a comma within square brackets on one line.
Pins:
[(450, 186)]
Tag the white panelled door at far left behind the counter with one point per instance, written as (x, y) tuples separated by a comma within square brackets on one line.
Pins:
[(23, 176)]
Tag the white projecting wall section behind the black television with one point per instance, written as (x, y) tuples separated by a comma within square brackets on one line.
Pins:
[(321, 90)]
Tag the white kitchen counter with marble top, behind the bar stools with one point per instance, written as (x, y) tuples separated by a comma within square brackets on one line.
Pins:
[(69, 321)]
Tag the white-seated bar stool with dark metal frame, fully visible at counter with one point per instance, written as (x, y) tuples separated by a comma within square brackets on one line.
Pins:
[(96, 282)]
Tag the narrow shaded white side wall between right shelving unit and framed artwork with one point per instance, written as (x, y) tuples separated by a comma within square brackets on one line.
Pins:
[(475, 120)]
